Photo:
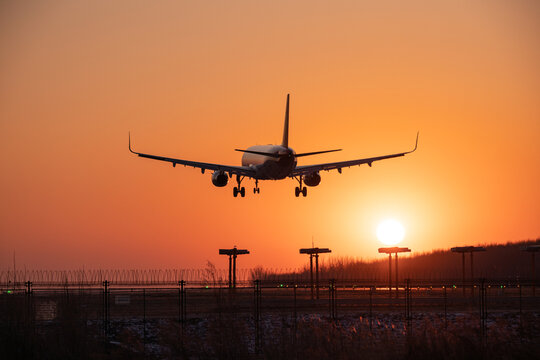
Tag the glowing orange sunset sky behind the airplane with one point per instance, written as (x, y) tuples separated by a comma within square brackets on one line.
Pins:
[(197, 79)]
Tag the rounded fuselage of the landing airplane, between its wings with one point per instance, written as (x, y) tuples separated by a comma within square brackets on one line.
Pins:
[(268, 167)]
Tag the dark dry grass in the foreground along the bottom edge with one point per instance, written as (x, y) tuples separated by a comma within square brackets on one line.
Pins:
[(231, 335)]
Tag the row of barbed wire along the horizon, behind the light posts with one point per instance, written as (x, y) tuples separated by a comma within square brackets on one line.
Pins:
[(209, 275)]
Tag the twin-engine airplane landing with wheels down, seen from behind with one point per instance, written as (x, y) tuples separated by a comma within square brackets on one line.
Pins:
[(271, 162)]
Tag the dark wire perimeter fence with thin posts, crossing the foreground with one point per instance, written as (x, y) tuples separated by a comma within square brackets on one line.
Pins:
[(264, 309)]
